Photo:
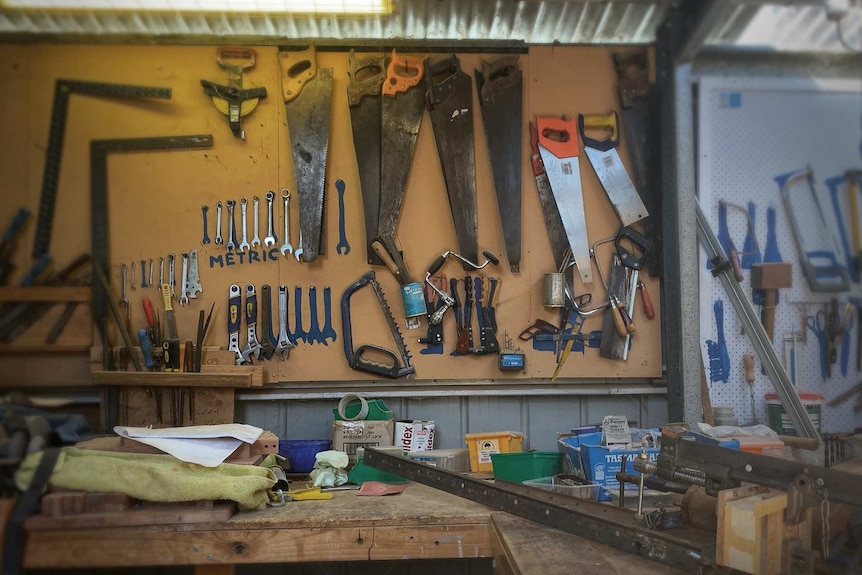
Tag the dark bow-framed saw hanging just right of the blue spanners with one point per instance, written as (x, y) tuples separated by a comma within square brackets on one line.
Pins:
[(373, 358)]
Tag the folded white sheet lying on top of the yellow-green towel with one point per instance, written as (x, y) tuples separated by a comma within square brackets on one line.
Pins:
[(207, 445)]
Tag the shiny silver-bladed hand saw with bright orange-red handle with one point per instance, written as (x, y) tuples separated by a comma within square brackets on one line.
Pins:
[(558, 146)]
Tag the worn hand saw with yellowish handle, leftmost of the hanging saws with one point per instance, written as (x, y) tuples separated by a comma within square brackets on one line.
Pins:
[(307, 93)]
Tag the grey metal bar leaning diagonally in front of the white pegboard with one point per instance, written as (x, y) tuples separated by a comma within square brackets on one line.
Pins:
[(771, 363)]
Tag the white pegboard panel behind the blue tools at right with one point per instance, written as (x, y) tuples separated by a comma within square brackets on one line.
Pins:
[(750, 131)]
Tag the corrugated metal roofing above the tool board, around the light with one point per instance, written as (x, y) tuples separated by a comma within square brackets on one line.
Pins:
[(531, 22)]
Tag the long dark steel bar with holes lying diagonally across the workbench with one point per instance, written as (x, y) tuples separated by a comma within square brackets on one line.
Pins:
[(689, 549)]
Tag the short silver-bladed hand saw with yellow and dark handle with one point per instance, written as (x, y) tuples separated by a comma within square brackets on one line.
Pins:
[(609, 168)]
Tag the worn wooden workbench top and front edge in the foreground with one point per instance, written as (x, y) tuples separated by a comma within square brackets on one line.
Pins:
[(420, 523)]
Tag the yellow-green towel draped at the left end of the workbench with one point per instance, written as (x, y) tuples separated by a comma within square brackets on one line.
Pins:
[(162, 478)]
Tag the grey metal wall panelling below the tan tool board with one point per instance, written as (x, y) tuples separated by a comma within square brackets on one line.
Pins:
[(540, 418)]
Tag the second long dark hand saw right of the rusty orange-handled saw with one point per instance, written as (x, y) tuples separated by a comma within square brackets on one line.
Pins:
[(500, 85)]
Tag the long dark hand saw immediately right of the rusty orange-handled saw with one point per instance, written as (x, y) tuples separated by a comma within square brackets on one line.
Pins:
[(450, 103)]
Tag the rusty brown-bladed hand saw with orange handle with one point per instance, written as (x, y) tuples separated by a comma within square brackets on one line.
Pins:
[(403, 106)]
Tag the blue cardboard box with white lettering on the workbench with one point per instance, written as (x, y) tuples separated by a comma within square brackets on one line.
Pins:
[(583, 455)]
